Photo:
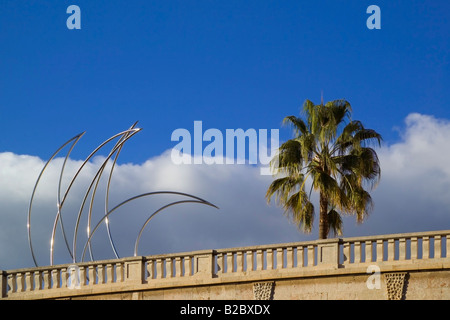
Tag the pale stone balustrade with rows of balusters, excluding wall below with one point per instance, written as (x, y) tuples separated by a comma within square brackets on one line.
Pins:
[(207, 266)]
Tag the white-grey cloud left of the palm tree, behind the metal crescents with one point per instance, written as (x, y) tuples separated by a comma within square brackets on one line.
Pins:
[(243, 218)]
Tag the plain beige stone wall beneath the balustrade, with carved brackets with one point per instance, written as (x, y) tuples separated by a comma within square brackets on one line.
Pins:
[(428, 285)]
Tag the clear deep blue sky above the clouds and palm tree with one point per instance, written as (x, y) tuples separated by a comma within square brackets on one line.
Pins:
[(231, 64)]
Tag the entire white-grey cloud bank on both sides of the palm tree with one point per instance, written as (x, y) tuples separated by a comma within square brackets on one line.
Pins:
[(413, 195)]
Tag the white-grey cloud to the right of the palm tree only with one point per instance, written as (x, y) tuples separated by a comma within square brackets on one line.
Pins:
[(414, 192)]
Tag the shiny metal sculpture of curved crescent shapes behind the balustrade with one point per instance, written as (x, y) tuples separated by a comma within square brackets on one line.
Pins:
[(122, 137)]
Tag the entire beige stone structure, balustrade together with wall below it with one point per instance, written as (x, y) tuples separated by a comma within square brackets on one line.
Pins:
[(400, 266)]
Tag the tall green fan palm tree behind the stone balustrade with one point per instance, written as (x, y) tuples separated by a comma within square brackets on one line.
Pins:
[(333, 154)]
